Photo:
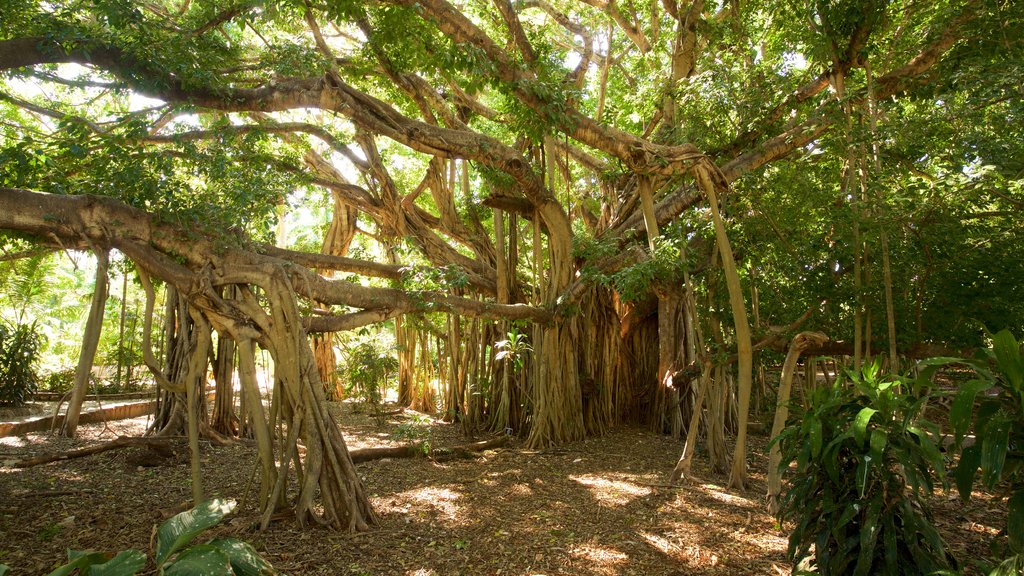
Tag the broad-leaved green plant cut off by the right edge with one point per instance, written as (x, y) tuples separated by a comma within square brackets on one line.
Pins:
[(999, 429)]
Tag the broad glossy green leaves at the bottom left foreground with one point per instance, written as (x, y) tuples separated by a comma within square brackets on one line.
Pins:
[(175, 556)]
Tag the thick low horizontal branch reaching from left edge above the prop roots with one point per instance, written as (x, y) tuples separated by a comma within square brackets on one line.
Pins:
[(195, 264)]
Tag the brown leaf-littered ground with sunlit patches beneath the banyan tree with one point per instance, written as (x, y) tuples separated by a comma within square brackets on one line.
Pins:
[(602, 507)]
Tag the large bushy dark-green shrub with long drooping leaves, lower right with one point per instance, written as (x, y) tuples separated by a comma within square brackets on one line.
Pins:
[(864, 461)]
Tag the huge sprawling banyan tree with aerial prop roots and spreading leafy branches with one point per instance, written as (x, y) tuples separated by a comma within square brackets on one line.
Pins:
[(553, 189)]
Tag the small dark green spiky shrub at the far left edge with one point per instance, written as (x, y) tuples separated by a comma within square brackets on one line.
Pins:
[(21, 347)]
